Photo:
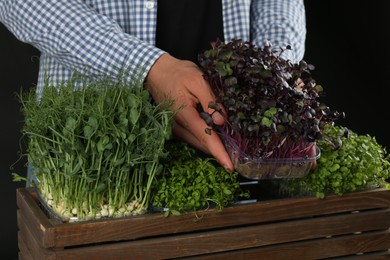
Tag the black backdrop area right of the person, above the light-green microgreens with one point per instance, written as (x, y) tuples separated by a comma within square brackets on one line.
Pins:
[(349, 43)]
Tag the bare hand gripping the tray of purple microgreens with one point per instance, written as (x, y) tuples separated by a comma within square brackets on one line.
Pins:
[(183, 82)]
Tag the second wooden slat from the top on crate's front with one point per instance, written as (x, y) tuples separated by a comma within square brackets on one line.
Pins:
[(240, 238)]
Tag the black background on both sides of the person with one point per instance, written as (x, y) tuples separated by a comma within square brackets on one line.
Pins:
[(346, 41)]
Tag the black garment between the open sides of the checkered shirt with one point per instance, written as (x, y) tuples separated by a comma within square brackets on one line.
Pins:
[(186, 28)]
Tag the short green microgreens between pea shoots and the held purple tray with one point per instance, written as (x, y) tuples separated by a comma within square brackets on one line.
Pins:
[(190, 182)]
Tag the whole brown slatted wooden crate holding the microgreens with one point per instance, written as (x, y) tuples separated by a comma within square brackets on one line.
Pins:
[(354, 225)]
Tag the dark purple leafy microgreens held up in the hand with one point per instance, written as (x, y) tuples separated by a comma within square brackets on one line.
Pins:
[(273, 108)]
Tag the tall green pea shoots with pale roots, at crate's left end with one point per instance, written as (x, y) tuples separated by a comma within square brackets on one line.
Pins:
[(96, 149)]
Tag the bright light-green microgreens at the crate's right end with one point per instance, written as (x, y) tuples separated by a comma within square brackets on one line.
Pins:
[(349, 162)]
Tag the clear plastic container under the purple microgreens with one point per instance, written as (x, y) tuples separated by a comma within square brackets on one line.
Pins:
[(275, 168)]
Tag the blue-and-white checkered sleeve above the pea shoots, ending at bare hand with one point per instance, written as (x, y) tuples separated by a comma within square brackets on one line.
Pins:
[(78, 37)]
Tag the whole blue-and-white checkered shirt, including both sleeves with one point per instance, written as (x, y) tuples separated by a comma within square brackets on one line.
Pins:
[(107, 37)]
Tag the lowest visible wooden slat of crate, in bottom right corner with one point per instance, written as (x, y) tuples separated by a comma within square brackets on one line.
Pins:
[(316, 249)]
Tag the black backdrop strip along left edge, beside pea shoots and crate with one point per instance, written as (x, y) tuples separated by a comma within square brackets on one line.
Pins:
[(18, 68)]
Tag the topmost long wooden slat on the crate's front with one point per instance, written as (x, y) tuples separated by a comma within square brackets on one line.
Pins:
[(68, 234)]
